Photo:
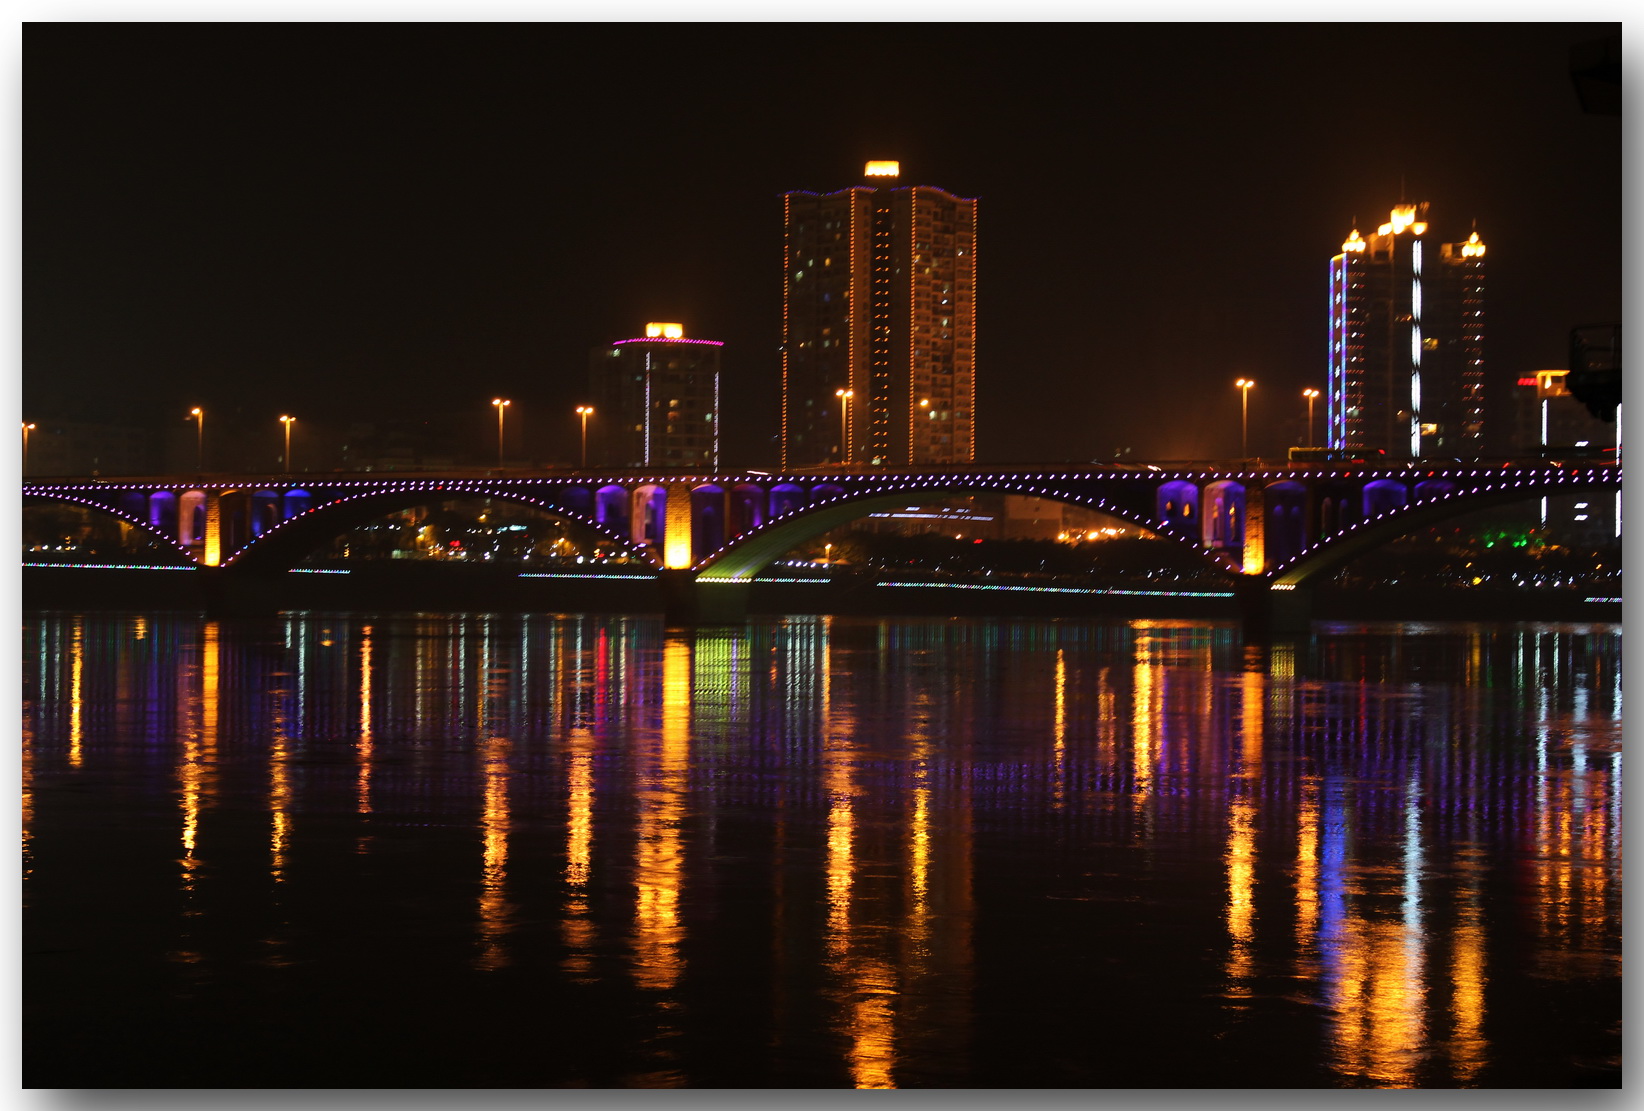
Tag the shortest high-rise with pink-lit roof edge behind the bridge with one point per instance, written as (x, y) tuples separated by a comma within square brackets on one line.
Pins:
[(657, 400)]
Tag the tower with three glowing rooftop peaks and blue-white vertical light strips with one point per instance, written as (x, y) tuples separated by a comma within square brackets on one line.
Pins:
[(1408, 341)]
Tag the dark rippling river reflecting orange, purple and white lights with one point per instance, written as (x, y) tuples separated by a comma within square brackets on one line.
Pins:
[(547, 852)]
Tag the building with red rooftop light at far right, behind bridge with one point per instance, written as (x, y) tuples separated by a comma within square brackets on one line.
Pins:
[(1549, 422)]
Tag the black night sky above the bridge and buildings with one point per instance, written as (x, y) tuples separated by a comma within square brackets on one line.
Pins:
[(354, 221)]
